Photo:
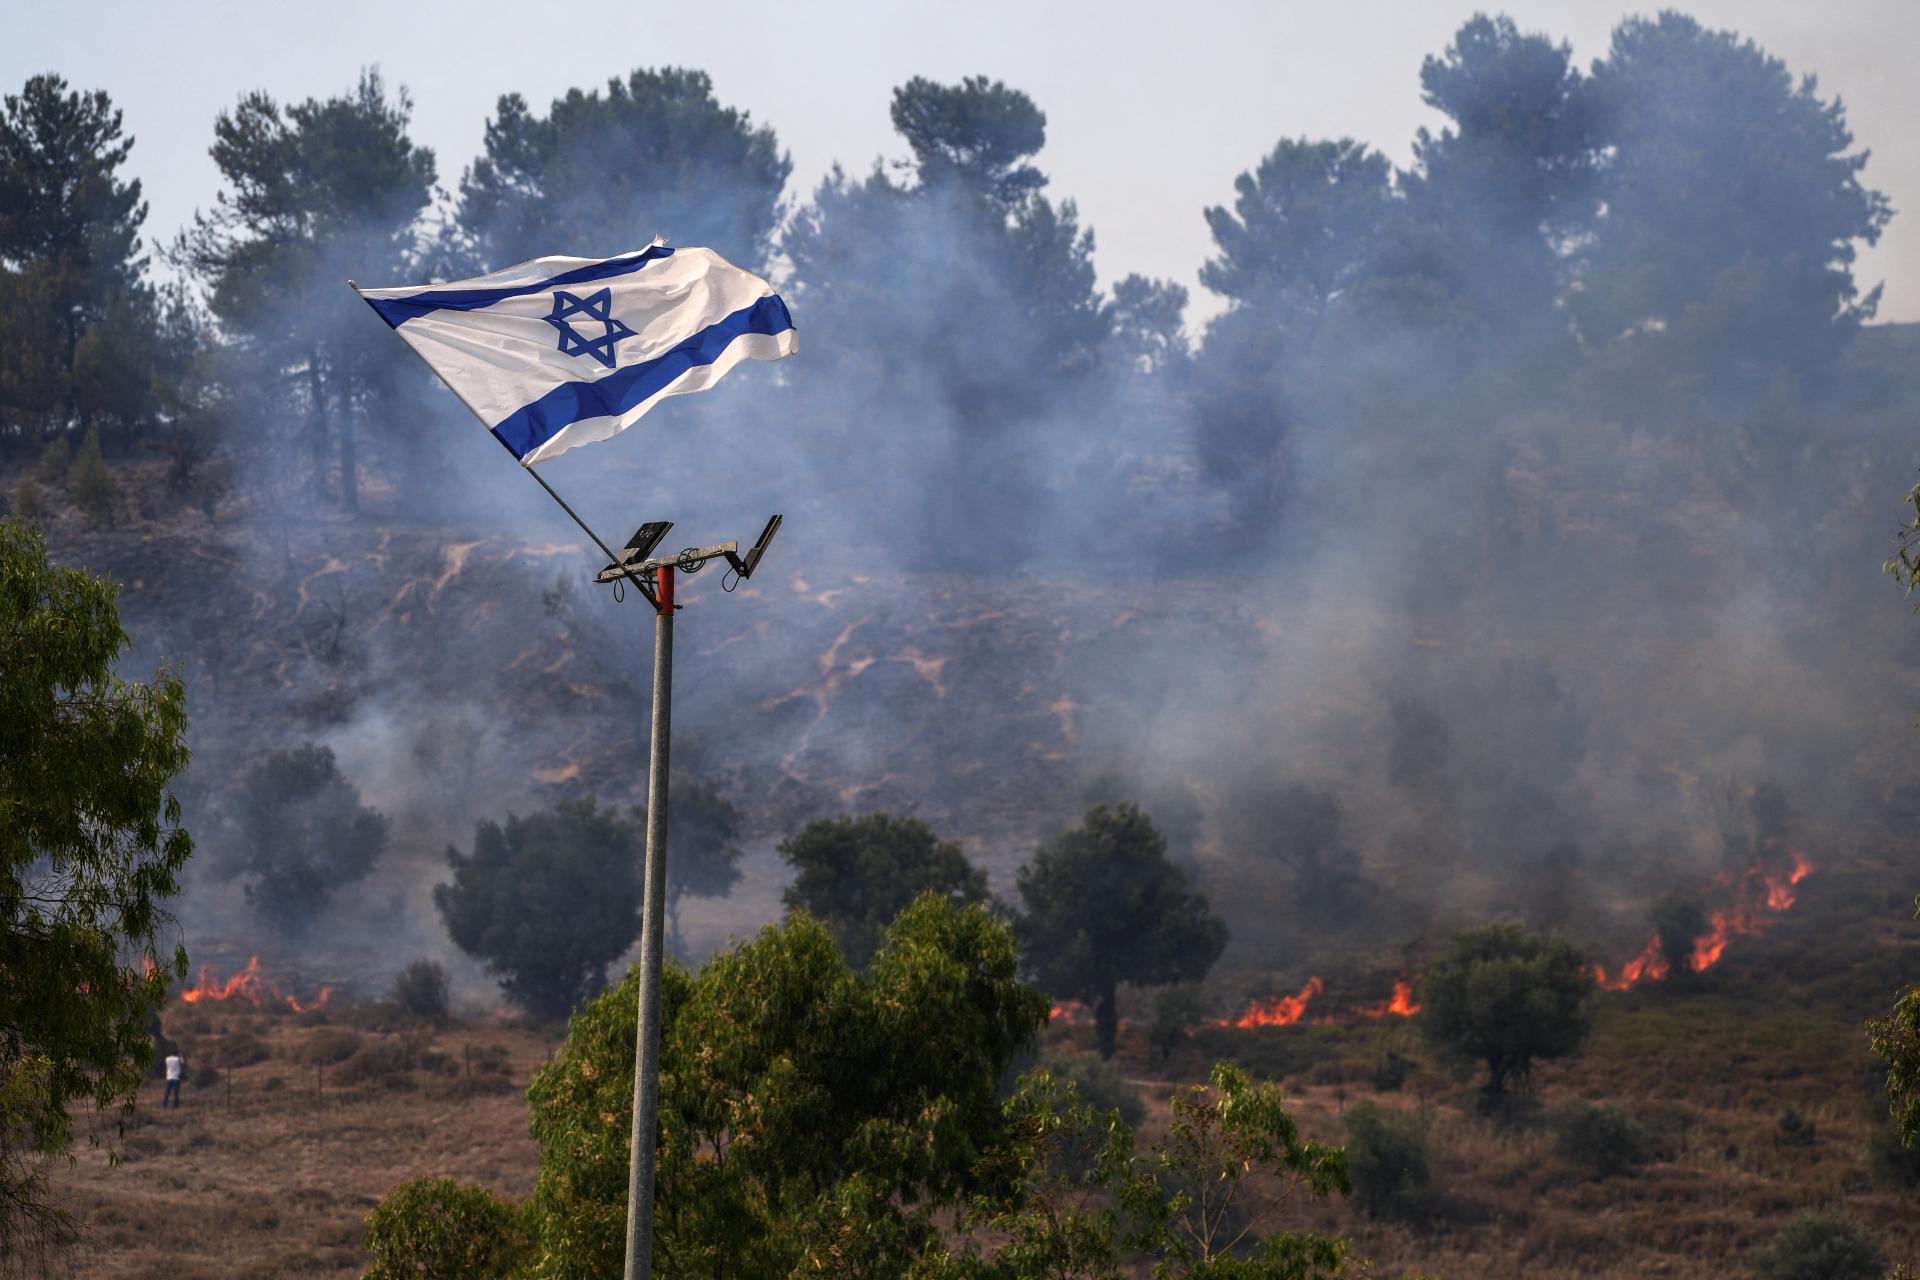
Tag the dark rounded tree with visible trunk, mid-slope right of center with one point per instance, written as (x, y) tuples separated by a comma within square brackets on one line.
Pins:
[(1107, 907)]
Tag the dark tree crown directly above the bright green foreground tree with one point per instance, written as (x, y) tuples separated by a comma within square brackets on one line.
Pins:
[(857, 874)]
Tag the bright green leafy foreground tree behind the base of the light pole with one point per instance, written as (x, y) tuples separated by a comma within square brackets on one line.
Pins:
[(813, 1118)]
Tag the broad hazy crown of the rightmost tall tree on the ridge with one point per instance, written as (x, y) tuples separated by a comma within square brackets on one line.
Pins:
[(1735, 204)]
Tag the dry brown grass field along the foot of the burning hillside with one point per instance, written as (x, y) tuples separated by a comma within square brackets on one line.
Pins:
[(270, 1168)]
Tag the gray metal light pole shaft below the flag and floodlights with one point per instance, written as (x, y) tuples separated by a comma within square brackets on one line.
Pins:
[(652, 928)]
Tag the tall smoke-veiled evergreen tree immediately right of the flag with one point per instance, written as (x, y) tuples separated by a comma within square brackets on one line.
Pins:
[(961, 302)]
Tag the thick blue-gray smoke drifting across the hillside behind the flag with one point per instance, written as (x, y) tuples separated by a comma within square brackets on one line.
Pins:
[(1429, 617)]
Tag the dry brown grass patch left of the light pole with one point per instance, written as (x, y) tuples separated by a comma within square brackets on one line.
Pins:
[(272, 1170)]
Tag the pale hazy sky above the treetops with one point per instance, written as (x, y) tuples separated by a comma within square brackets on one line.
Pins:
[(1153, 110)]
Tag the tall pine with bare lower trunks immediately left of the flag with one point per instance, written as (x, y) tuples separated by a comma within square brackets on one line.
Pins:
[(316, 195)]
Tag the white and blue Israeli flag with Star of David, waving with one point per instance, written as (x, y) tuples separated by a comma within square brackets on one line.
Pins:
[(562, 352)]
